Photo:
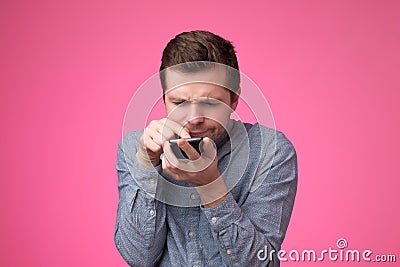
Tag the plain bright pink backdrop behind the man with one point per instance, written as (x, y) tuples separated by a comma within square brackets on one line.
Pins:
[(329, 69)]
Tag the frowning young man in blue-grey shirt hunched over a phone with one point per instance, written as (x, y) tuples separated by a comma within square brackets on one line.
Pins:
[(221, 207)]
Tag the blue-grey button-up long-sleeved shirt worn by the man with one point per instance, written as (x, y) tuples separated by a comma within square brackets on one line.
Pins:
[(254, 216)]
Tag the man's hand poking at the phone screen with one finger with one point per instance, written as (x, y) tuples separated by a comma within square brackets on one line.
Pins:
[(151, 142)]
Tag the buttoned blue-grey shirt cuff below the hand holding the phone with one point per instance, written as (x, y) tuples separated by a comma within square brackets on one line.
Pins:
[(224, 214)]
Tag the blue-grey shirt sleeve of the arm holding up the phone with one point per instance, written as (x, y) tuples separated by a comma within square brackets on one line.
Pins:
[(251, 234)]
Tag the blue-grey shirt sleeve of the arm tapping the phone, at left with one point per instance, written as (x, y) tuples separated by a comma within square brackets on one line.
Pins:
[(140, 229)]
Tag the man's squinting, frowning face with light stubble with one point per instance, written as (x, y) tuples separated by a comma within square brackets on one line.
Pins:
[(202, 108)]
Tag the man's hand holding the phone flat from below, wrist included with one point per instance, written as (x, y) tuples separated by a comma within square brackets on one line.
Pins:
[(201, 171)]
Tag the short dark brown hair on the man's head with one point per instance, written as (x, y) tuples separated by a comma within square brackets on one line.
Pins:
[(201, 46)]
